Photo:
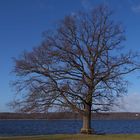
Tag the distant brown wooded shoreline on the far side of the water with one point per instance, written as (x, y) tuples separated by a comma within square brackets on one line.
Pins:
[(68, 115)]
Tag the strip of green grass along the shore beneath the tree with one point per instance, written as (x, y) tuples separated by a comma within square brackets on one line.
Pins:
[(76, 137)]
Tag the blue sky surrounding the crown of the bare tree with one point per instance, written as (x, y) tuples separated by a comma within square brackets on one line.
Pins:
[(23, 21)]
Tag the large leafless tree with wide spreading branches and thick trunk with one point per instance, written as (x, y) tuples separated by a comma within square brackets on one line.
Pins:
[(79, 66)]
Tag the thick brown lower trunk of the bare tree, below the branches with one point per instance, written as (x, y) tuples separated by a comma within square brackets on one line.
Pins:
[(86, 129)]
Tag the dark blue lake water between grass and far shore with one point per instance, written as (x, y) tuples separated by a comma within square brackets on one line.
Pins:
[(45, 127)]
